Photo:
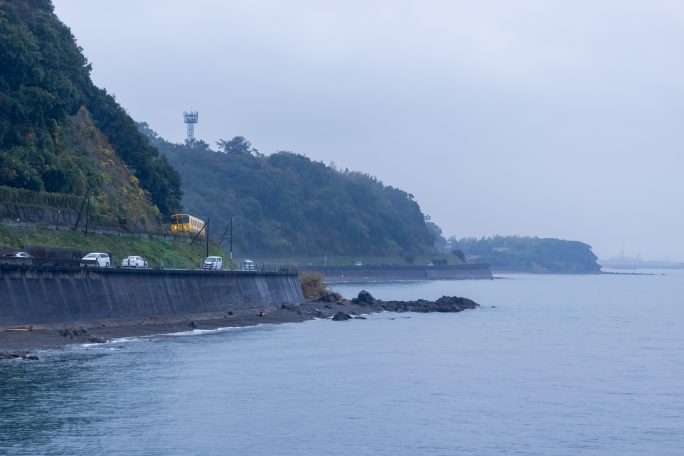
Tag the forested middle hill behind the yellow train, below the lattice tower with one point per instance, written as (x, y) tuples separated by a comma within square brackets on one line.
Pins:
[(287, 204)]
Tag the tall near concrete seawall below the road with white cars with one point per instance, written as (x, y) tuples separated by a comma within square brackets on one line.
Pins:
[(34, 295)]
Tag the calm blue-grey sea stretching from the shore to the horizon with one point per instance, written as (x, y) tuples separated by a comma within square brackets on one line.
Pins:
[(550, 365)]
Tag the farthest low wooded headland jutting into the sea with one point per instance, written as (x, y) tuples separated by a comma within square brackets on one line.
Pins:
[(531, 254)]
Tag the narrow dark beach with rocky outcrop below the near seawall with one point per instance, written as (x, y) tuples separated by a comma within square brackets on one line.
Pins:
[(332, 306)]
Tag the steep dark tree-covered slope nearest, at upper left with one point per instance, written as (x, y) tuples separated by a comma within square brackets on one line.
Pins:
[(61, 134)]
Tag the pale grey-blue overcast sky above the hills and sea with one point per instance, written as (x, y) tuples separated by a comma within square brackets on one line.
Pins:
[(548, 118)]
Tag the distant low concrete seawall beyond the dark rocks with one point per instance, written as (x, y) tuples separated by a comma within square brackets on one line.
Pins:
[(384, 273)]
